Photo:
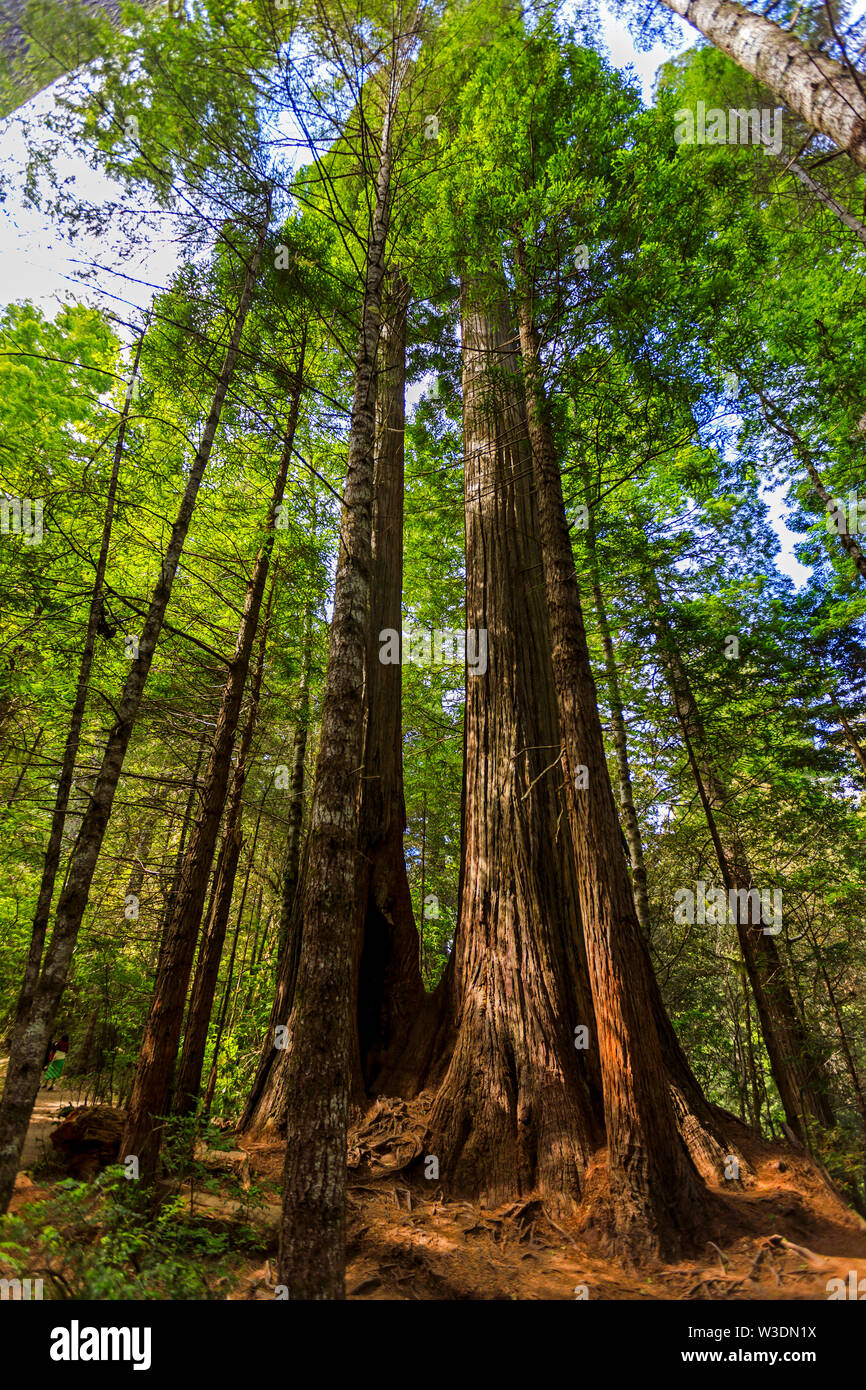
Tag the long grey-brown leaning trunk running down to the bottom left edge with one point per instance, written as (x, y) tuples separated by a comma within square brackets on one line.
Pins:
[(26, 1065)]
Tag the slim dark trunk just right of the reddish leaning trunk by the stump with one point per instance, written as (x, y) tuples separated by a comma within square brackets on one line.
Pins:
[(211, 951)]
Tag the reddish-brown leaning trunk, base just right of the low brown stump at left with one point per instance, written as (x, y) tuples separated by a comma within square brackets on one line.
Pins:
[(152, 1089)]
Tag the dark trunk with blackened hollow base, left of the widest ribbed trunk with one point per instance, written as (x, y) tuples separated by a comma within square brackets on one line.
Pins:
[(390, 989)]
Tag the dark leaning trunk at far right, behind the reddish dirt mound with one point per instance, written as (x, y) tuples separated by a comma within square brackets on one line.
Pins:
[(800, 1081)]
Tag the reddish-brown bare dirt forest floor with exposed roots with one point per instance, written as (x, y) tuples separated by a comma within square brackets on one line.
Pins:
[(781, 1236)]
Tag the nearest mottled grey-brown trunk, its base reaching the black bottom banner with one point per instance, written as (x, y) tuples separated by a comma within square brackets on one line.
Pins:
[(313, 1229)]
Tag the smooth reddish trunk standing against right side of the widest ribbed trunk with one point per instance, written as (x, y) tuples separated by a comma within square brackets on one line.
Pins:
[(657, 1193)]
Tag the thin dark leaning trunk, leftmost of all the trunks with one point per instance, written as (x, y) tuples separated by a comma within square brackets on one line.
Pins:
[(67, 771)]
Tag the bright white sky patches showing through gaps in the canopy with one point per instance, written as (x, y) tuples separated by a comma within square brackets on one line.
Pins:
[(40, 265)]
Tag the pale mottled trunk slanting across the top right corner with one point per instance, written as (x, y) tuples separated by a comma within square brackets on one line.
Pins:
[(814, 85)]
